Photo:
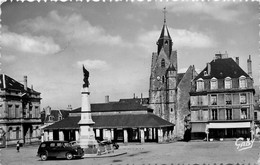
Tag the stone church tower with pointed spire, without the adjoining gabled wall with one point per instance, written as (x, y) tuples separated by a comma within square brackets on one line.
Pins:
[(163, 78)]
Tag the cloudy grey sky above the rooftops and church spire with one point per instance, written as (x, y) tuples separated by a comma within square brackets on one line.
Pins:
[(49, 42)]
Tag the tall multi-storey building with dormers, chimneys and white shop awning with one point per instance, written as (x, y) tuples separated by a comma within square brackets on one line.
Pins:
[(222, 100)]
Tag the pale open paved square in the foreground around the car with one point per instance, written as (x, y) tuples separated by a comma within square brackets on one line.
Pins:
[(151, 153)]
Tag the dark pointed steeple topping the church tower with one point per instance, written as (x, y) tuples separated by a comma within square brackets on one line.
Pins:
[(165, 40)]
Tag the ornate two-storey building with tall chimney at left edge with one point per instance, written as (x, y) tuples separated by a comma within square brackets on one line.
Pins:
[(19, 112)]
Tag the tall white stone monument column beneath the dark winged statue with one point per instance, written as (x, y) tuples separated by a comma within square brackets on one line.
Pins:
[(87, 136)]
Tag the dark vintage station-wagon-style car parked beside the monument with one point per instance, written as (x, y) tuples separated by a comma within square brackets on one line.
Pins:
[(59, 149)]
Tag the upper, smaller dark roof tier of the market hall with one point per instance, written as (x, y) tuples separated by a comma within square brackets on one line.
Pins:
[(114, 106)]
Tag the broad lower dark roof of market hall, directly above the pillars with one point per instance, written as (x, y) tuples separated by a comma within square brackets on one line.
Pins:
[(115, 121)]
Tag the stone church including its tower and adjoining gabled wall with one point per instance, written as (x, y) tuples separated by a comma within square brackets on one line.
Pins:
[(169, 90)]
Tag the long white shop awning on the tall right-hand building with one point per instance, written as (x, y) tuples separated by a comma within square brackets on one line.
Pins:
[(229, 125)]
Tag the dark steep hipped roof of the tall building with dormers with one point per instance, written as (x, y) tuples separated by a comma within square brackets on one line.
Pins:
[(222, 68)]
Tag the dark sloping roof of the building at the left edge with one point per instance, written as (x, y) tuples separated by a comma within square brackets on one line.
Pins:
[(10, 83)]
